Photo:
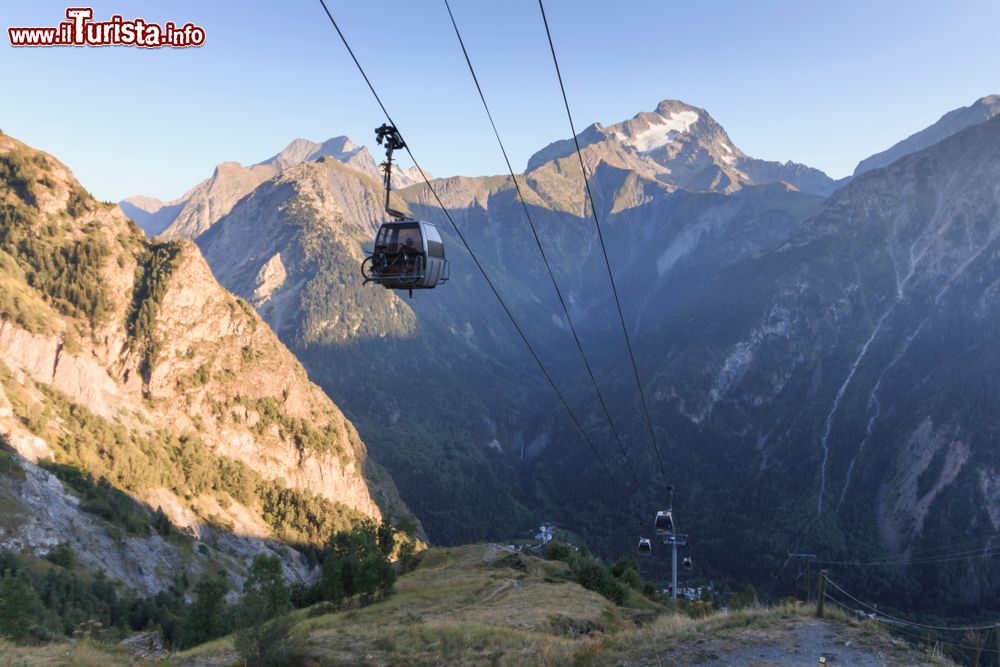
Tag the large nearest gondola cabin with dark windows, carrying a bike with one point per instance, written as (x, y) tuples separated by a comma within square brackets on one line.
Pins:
[(408, 254)]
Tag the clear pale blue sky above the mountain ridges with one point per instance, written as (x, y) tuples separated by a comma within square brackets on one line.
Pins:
[(823, 83)]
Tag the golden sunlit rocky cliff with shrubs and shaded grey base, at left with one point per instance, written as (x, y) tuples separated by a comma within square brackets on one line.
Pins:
[(126, 362)]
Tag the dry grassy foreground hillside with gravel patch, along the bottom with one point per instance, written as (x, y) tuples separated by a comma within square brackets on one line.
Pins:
[(484, 605)]
